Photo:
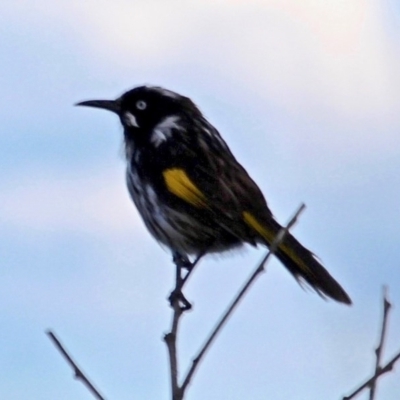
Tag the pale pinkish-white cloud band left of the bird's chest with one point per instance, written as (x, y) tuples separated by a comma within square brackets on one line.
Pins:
[(92, 203)]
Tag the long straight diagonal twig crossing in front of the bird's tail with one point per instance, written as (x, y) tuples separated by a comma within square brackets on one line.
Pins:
[(260, 268)]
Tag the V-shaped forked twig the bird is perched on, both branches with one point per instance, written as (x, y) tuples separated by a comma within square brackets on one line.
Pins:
[(170, 338)]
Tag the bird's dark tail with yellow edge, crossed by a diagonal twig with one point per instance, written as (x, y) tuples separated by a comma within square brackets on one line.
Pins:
[(300, 262)]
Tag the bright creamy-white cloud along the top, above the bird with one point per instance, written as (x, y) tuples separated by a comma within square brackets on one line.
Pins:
[(332, 54)]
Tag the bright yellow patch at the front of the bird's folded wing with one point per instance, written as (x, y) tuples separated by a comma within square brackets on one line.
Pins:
[(181, 186)]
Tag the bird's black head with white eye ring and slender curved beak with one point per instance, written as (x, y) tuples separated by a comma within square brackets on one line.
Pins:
[(144, 109)]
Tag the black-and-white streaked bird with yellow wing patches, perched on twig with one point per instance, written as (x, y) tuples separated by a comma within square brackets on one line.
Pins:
[(194, 197)]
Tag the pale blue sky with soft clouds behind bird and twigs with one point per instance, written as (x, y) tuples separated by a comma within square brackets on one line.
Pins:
[(307, 95)]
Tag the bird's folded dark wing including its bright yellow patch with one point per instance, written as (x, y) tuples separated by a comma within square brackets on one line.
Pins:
[(209, 178)]
